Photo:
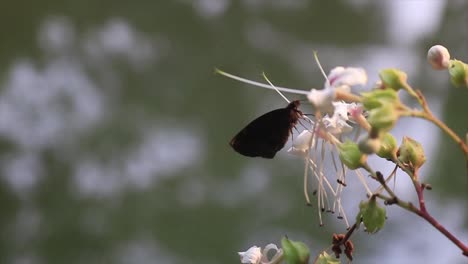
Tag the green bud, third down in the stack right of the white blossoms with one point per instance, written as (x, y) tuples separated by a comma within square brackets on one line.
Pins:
[(383, 118)]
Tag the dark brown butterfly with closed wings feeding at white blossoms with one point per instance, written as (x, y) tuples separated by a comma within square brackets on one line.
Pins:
[(267, 134)]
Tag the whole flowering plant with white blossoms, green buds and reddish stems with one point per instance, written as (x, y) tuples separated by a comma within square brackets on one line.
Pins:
[(330, 142)]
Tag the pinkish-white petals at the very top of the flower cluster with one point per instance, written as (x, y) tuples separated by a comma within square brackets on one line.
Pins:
[(344, 78)]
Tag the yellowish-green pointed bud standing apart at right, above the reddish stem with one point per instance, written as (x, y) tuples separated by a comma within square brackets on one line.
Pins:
[(411, 154)]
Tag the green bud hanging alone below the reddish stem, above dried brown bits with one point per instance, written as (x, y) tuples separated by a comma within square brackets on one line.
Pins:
[(372, 215)]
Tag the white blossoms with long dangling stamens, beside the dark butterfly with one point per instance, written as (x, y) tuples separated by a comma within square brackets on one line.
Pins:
[(333, 120)]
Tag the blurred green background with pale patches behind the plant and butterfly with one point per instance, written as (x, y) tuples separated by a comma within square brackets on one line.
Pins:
[(114, 129)]
